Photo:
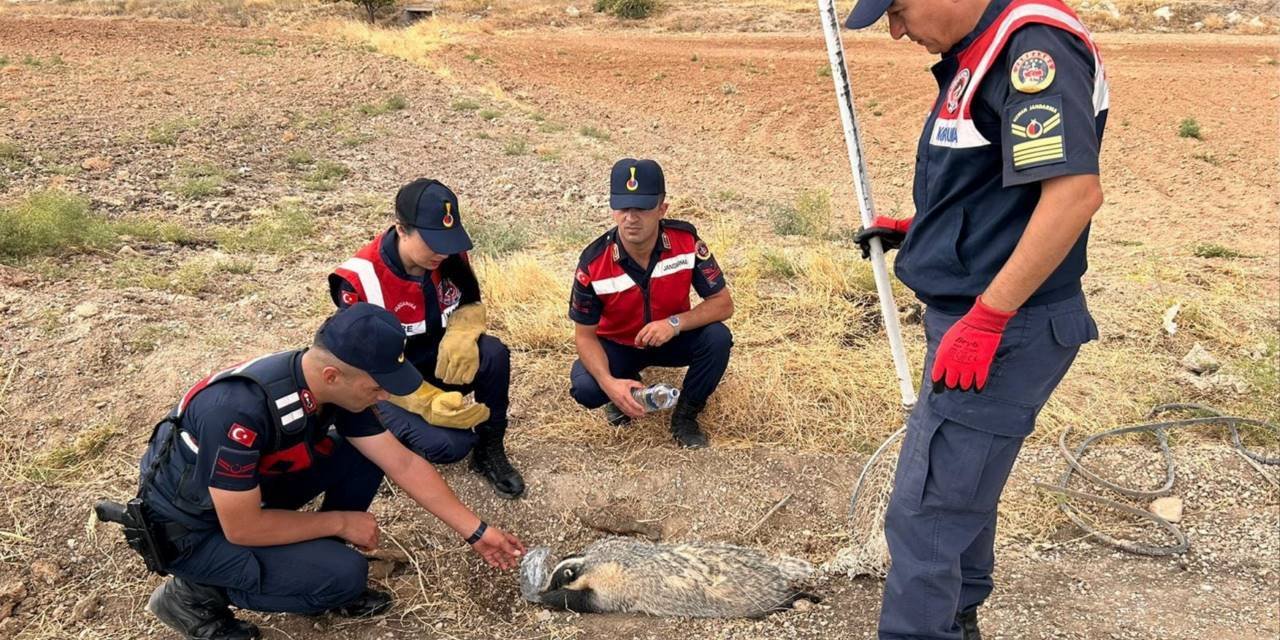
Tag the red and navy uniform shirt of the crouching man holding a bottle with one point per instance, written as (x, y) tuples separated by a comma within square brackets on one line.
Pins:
[(618, 295)]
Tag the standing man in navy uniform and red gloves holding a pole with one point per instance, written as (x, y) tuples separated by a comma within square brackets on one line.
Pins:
[(1007, 182)]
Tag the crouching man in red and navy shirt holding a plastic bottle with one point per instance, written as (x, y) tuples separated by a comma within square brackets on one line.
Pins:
[(630, 304)]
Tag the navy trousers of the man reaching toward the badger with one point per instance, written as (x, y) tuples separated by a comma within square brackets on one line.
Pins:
[(301, 578)]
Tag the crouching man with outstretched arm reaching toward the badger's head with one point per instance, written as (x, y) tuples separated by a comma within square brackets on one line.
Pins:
[(245, 449)]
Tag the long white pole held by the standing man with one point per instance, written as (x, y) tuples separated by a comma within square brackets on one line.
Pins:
[(862, 186)]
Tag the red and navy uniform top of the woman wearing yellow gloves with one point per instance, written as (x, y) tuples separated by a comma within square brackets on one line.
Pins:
[(423, 305)]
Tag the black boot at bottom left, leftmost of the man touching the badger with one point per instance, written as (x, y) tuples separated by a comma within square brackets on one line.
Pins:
[(198, 612)]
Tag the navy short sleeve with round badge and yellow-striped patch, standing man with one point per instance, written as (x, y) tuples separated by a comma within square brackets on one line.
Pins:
[(1045, 93)]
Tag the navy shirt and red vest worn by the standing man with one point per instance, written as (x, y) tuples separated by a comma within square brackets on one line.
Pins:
[(1022, 99)]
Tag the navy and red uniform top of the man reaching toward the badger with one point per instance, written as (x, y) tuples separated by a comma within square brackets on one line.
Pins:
[(230, 431)]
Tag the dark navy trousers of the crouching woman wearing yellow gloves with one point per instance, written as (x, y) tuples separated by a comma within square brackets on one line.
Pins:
[(441, 445)]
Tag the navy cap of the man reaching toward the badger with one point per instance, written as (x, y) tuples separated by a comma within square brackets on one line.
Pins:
[(371, 339)]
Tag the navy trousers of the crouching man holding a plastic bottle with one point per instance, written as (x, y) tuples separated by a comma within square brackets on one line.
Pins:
[(705, 351)]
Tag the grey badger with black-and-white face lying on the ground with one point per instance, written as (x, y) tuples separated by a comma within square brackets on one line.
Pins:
[(689, 580)]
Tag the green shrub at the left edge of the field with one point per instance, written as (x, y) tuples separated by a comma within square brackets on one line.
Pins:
[(51, 223)]
